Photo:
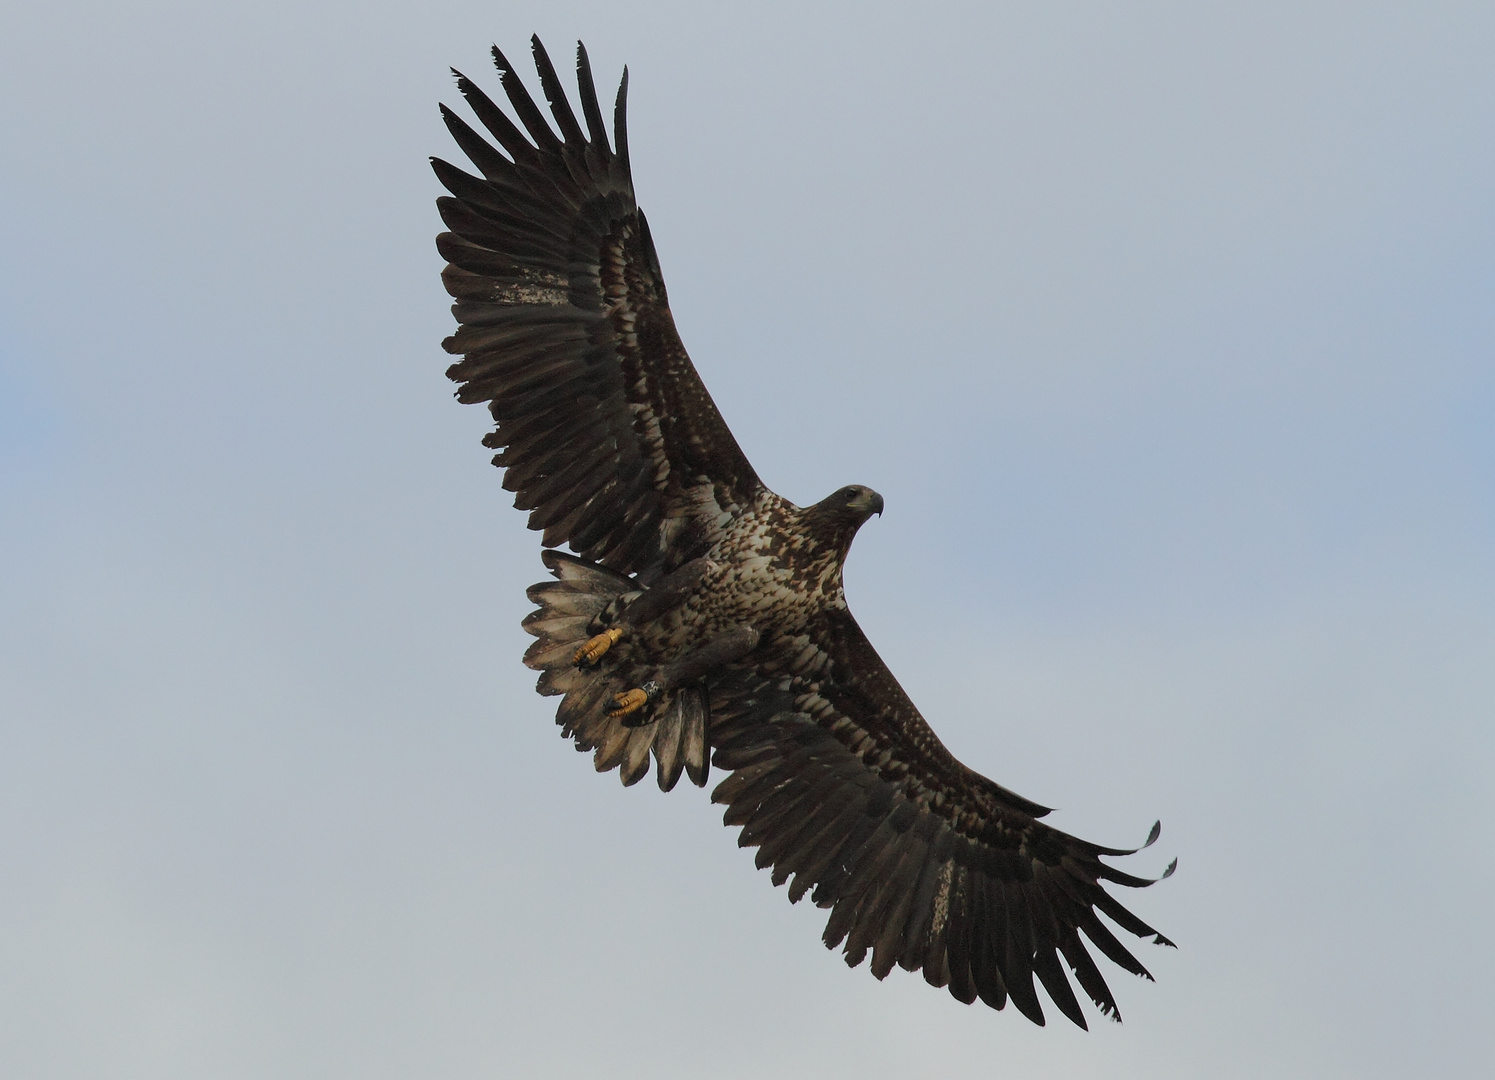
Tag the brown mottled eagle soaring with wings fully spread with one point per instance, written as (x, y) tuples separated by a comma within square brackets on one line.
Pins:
[(699, 619)]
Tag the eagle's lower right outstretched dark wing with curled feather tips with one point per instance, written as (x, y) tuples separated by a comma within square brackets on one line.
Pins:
[(925, 864)]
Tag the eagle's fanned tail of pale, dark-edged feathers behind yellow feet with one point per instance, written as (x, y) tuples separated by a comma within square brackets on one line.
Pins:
[(572, 610)]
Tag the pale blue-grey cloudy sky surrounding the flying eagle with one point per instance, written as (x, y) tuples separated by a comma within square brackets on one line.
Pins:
[(1167, 333)]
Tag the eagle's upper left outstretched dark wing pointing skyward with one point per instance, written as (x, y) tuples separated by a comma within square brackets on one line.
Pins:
[(608, 435)]
